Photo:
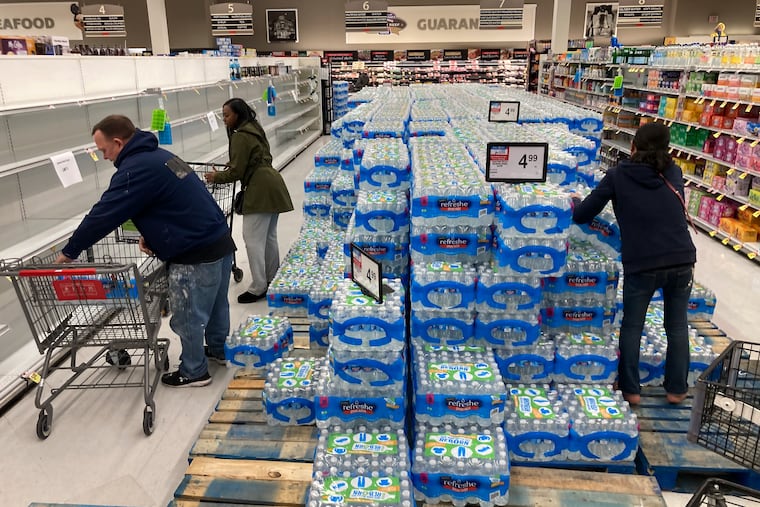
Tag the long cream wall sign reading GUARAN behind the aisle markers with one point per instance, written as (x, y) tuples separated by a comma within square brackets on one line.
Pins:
[(443, 24)]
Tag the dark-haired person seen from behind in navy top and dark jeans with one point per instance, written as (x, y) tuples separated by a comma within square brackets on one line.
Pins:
[(657, 250)]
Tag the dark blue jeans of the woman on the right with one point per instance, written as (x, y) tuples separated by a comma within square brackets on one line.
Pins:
[(638, 289)]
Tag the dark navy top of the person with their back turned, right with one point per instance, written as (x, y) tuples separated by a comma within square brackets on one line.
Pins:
[(653, 227)]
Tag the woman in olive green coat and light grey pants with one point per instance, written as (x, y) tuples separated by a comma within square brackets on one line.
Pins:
[(266, 195)]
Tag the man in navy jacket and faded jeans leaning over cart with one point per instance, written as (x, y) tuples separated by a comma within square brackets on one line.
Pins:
[(181, 224)]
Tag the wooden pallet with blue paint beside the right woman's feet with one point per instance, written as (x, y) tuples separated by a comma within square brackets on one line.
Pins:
[(664, 452)]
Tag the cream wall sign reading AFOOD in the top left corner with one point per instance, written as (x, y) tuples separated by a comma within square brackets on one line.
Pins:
[(42, 18)]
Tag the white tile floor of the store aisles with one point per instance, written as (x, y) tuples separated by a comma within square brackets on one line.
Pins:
[(98, 454)]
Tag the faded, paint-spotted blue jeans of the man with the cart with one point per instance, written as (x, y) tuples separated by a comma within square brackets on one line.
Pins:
[(200, 310)]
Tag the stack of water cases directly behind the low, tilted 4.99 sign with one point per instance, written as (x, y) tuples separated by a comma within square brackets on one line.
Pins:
[(380, 227)]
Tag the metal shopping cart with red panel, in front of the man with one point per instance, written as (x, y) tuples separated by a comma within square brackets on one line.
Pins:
[(105, 313)]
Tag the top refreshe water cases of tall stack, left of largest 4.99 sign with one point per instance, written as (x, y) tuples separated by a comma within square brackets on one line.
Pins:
[(452, 204)]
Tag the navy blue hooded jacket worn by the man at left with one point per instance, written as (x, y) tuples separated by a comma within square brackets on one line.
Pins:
[(167, 202)]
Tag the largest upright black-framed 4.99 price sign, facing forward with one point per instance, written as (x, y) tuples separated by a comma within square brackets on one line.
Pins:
[(516, 162)]
